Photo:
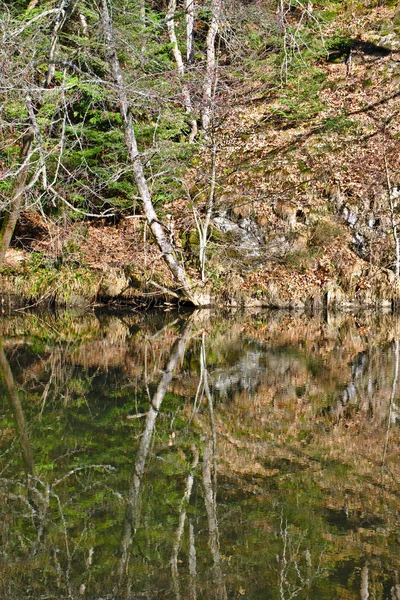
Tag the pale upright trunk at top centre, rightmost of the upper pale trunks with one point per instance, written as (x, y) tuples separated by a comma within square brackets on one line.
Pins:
[(211, 66)]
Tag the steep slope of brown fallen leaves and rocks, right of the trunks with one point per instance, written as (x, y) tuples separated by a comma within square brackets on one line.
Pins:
[(309, 172)]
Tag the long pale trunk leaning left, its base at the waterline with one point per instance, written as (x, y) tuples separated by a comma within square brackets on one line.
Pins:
[(156, 227)]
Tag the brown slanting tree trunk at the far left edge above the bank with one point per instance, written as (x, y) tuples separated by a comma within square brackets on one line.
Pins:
[(10, 219)]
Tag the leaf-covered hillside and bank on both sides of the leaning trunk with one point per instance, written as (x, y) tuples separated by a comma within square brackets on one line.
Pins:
[(301, 178)]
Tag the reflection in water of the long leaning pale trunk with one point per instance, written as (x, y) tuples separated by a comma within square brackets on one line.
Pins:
[(131, 513)]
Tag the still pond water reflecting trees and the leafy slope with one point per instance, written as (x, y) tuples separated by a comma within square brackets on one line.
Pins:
[(196, 456)]
